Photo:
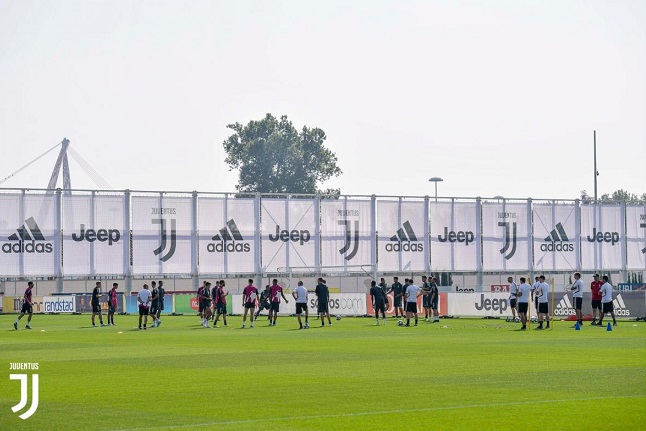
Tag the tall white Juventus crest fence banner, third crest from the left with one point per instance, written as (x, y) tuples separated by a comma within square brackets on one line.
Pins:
[(505, 242)]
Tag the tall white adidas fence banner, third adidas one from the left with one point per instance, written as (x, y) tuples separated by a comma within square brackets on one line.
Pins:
[(402, 227)]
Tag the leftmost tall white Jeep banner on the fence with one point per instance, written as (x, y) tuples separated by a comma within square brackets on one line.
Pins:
[(93, 235)]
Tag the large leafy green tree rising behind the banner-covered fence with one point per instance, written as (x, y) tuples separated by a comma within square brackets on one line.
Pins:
[(272, 157)]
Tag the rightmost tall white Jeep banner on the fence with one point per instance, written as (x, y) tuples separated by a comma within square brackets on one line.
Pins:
[(601, 236)]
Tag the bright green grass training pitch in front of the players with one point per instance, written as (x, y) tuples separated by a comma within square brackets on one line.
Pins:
[(460, 374)]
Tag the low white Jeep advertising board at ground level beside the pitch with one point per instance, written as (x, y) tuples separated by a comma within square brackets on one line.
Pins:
[(478, 304)]
